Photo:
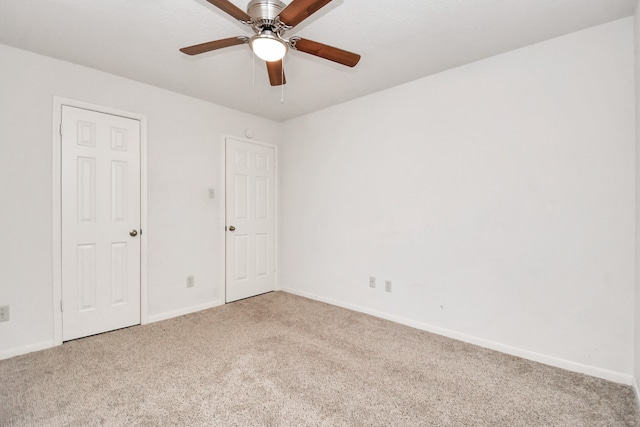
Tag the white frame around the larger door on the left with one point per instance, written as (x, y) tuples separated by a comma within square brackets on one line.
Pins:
[(58, 103)]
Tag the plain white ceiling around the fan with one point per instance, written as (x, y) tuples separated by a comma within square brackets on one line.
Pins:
[(399, 40)]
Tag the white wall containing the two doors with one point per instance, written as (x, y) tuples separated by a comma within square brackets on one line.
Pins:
[(185, 232)]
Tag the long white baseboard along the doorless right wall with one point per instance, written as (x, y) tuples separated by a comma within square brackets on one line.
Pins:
[(514, 351)]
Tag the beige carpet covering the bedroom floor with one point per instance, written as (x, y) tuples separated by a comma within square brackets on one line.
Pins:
[(282, 360)]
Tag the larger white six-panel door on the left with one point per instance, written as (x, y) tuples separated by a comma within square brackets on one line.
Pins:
[(100, 222)]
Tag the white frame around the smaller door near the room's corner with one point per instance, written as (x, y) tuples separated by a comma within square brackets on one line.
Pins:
[(223, 195)]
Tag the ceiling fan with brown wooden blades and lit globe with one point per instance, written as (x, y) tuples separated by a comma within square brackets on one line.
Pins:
[(269, 19)]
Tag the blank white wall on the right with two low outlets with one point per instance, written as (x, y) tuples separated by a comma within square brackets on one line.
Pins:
[(498, 197)]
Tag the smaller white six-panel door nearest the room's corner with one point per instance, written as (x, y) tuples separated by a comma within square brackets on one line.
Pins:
[(250, 212)]
